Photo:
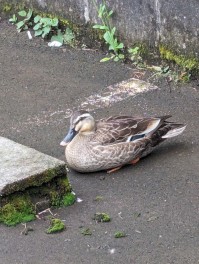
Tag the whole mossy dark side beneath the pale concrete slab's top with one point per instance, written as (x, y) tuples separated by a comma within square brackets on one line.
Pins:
[(20, 207)]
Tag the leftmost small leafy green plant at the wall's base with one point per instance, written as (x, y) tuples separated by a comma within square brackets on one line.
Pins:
[(25, 23)]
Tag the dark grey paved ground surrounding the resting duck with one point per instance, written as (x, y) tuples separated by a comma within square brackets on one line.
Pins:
[(155, 202)]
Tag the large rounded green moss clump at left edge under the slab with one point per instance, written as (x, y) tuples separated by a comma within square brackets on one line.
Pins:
[(18, 209)]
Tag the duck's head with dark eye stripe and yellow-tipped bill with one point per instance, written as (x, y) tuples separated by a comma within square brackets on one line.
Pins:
[(80, 122)]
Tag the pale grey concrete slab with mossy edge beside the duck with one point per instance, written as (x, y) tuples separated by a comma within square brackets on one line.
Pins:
[(22, 167)]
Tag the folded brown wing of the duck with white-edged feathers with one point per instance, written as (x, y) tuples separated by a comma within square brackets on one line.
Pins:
[(125, 128)]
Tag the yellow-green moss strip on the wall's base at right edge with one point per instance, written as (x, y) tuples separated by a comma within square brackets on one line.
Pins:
[(181, 60)]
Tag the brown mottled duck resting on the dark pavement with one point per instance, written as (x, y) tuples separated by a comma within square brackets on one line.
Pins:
[(113, 142)]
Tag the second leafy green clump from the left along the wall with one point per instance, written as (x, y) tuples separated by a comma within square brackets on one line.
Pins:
[(44, 25)]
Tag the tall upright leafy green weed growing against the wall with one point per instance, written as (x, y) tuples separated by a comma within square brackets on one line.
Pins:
[(109, 36)]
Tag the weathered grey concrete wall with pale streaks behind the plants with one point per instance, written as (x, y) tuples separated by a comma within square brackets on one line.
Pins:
[(172, 23)]
